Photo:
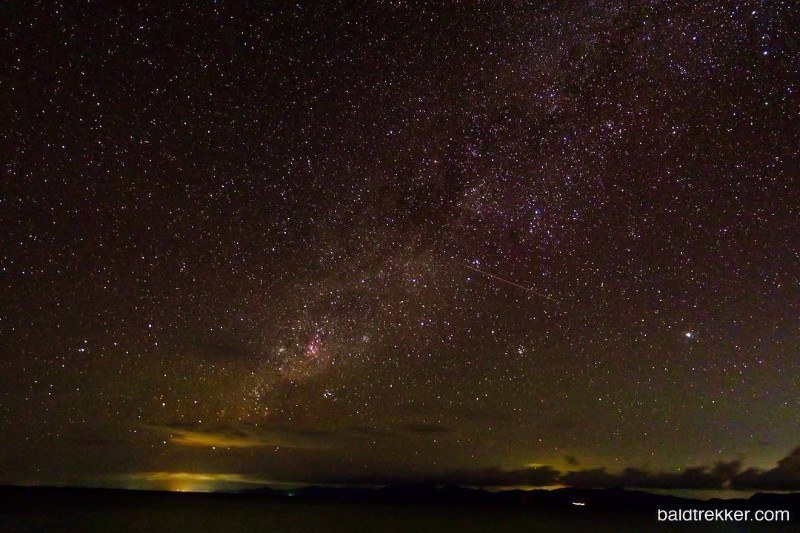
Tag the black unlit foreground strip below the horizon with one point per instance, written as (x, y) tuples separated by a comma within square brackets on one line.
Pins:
[(413, 509)]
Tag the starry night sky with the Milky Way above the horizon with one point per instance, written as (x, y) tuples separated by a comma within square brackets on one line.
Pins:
[(330, 242)]
